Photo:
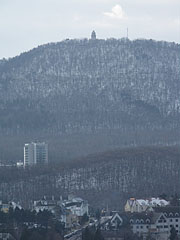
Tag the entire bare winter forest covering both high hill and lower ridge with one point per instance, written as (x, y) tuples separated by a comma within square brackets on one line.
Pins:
[(107, 99)]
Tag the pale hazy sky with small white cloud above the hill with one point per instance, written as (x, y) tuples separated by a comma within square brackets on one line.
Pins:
[(25, 24)]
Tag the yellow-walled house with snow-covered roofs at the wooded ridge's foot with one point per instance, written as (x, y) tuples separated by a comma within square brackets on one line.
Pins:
[(142, 205)]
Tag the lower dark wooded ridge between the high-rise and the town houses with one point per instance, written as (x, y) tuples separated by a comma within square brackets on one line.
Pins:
[(103, 179)]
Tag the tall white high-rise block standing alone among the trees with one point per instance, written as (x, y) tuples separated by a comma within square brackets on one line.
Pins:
[(35, 153)]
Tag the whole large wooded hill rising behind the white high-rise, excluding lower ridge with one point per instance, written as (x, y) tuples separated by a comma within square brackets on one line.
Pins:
[(87, 96)]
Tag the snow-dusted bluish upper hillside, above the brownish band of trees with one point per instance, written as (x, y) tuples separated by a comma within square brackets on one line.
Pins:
[(84, 85)]
